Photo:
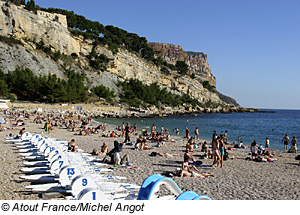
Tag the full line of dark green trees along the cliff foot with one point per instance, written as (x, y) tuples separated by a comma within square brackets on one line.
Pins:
[(23, 83)]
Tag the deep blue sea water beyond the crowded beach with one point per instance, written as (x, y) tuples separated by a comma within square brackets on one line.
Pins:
[(247, 126)]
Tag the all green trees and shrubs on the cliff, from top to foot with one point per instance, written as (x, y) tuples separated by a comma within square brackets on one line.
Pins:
[(25, 85)]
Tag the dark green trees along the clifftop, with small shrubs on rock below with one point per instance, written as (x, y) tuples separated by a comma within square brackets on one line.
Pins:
[(111, 36)]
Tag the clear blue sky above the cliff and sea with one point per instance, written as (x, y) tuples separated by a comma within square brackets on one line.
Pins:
[(253, 46)]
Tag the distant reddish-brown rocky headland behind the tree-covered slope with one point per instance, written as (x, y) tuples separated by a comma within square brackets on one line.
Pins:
[(197, 61)]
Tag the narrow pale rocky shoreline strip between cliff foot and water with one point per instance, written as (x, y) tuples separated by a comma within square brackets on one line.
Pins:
[(107, 111)]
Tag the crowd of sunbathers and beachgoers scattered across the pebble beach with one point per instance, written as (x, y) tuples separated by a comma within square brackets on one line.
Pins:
[(217, 152)]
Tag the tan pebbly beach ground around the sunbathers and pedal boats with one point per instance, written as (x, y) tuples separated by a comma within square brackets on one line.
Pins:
[(239, 180)]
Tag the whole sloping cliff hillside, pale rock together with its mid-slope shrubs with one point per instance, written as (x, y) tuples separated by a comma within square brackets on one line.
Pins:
[(47, 45)]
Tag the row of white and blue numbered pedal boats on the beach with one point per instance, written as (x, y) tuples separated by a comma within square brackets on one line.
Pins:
[(51, 168)]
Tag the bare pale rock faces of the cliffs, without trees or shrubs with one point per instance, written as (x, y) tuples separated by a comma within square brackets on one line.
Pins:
[(29, 28)]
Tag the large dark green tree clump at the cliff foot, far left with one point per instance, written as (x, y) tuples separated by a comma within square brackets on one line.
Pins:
[(26, 85)]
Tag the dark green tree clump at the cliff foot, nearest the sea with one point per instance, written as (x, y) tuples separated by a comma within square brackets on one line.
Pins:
[(135, 93)]
